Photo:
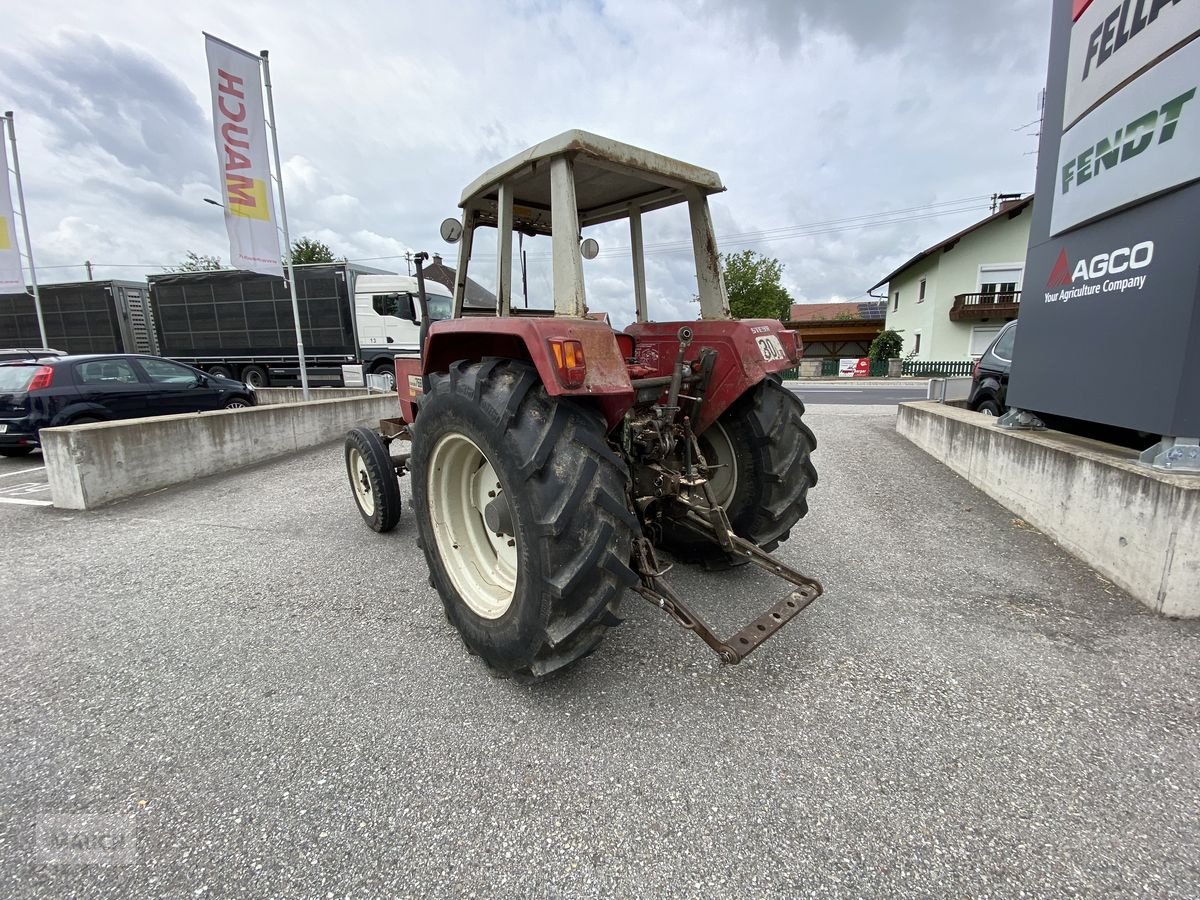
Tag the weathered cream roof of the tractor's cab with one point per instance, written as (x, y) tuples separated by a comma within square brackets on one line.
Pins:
[(609, 178)]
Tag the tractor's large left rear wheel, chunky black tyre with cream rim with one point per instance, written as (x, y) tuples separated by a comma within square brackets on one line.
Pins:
[(523, 514)]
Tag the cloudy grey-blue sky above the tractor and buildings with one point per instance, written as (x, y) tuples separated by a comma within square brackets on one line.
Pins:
[(821, 116)]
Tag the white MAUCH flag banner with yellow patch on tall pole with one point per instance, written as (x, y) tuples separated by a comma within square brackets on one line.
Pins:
[(241, 128)]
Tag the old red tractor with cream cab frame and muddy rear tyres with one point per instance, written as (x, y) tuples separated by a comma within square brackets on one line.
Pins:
[(553, 457)]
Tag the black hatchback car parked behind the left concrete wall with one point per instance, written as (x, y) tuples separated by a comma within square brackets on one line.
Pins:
[(71, 391)]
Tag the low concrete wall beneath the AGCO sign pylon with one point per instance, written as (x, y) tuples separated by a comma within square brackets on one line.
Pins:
[(1138, 527)]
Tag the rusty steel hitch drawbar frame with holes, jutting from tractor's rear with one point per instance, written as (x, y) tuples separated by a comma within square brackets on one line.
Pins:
[(656, 590)]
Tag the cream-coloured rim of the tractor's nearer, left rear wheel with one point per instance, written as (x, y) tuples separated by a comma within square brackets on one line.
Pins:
[(483, 565)]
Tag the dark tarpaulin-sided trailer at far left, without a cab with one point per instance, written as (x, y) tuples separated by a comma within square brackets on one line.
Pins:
[(82, 317)]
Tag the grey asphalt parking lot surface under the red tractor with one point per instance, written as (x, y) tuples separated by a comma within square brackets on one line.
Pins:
[(267, 698)]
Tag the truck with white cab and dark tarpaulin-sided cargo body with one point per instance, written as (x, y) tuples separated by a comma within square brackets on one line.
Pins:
[(241, 325)]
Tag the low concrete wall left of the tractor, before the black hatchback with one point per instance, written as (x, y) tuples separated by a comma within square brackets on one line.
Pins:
[(92, 465)]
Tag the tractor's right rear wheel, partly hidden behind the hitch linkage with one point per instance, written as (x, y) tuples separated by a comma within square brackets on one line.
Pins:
[(764, 443)]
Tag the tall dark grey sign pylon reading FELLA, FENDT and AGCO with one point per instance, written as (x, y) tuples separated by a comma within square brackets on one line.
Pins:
[(1114, 338)]
